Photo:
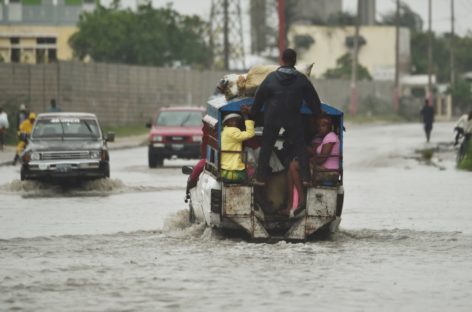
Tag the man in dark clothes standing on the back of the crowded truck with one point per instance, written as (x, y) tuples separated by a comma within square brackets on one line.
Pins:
[(283, 92)]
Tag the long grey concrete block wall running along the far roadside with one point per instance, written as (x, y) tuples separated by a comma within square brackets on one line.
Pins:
[(121, 94)]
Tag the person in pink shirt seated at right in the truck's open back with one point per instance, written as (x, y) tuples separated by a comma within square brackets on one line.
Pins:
[(324, 160)]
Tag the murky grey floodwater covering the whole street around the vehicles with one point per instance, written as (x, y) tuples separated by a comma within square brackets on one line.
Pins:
[(125, 244)]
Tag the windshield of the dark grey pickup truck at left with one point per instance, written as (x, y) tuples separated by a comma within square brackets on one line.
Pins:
[(66, 127)]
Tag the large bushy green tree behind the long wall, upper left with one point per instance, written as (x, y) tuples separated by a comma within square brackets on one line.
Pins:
[(159, 37)]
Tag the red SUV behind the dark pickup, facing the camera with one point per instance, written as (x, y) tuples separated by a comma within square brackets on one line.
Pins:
[(175, 131)]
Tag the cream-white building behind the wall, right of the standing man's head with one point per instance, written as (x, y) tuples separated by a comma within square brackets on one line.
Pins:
[(376, 52)]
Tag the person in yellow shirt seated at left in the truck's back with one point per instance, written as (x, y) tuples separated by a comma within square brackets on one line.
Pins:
[(233, 169)]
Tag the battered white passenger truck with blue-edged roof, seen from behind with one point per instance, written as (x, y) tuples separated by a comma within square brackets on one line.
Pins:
[(236, 208)]
